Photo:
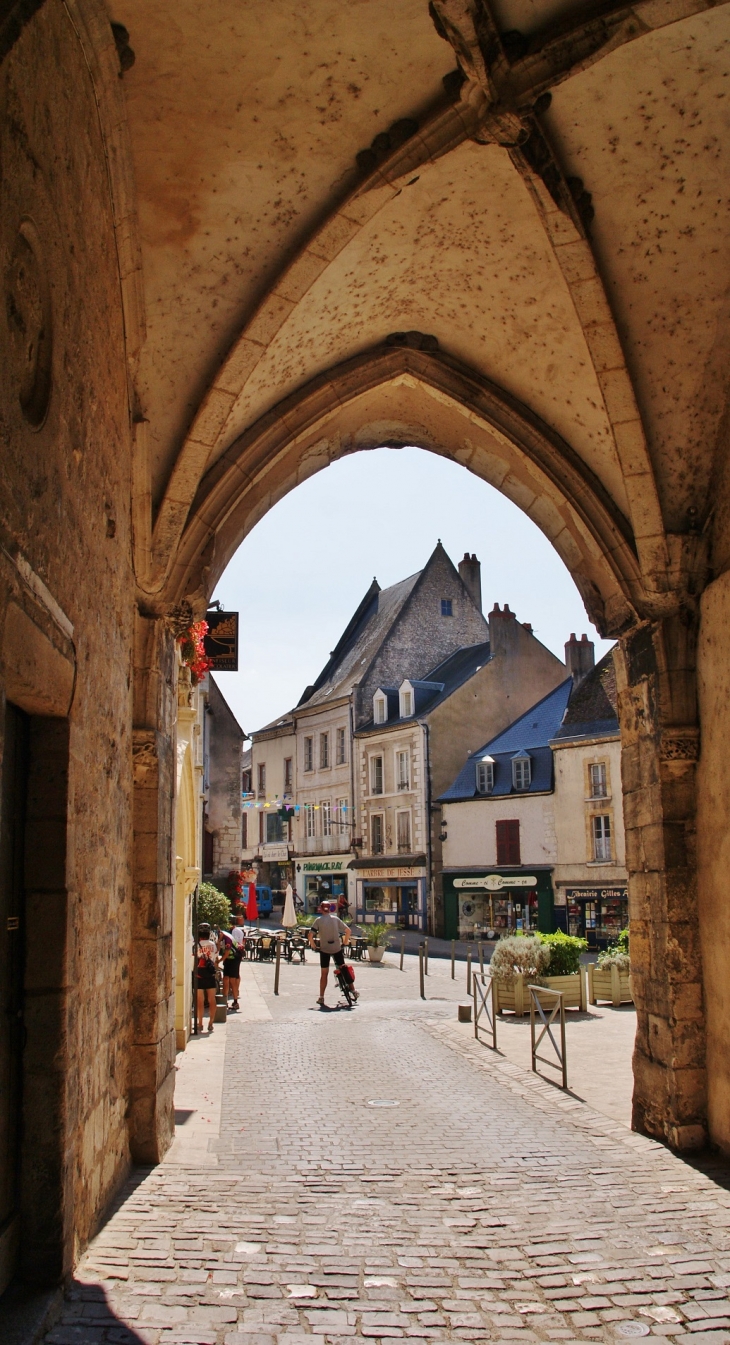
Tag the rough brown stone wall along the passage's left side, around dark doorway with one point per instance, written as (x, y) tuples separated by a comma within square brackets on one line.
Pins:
[(67, 603)]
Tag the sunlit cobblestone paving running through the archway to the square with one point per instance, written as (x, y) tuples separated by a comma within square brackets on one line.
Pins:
[(380, 1175)]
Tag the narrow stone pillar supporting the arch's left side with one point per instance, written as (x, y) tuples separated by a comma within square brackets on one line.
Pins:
[(151, 1114)]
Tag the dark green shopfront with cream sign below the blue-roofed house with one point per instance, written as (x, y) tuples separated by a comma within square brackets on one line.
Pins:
[(481, 906)]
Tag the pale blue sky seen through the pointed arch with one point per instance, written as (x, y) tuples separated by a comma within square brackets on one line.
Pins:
[(299, 576)]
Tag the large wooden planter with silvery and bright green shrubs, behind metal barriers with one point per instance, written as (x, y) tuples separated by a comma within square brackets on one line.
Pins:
[(545, 960)]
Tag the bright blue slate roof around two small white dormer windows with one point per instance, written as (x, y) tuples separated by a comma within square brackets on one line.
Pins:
[(532, 734)]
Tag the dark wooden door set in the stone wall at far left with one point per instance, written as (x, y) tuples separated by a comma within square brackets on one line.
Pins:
[(13, 956)]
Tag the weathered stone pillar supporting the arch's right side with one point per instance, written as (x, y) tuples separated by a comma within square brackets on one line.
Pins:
[(661, 739)]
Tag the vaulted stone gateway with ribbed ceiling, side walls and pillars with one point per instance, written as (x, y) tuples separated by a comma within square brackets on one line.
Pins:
[(173, 364)]
